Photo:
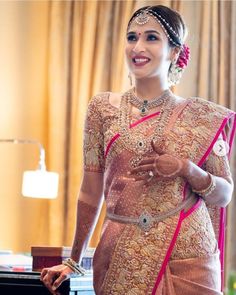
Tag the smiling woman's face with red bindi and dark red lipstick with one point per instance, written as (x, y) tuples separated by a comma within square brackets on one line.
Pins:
[(148, 53)]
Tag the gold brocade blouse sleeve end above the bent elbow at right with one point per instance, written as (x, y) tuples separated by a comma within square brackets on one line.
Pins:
[(217, 164)]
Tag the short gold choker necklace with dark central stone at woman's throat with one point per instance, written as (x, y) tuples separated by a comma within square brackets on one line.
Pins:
[(145, 105)]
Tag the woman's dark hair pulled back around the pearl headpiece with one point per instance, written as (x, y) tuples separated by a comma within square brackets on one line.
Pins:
[(172, 17)]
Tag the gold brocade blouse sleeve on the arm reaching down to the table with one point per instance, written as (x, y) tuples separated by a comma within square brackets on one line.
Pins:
[(93, 144)]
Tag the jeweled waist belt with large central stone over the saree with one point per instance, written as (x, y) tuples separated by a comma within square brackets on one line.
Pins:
[(145, 220)]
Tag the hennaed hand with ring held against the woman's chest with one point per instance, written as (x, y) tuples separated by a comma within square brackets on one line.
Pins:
[(160, 165)]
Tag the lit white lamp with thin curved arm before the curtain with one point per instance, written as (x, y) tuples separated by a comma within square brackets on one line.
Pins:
[(38, 183)]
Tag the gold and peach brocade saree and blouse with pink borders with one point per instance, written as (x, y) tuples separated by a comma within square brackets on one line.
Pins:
[(178, 255)]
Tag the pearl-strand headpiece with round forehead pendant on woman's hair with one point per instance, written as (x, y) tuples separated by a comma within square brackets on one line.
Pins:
[(144, 16)]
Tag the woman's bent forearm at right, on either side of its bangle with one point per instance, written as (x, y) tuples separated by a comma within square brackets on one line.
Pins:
[(199, 179)]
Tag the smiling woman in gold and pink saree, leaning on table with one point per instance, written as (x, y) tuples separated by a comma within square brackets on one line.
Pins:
[(163, 160)]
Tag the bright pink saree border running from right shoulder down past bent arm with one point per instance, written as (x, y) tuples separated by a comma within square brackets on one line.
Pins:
[(184, 215)]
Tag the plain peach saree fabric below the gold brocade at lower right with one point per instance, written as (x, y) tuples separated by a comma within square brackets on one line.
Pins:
[(193, 276)]
